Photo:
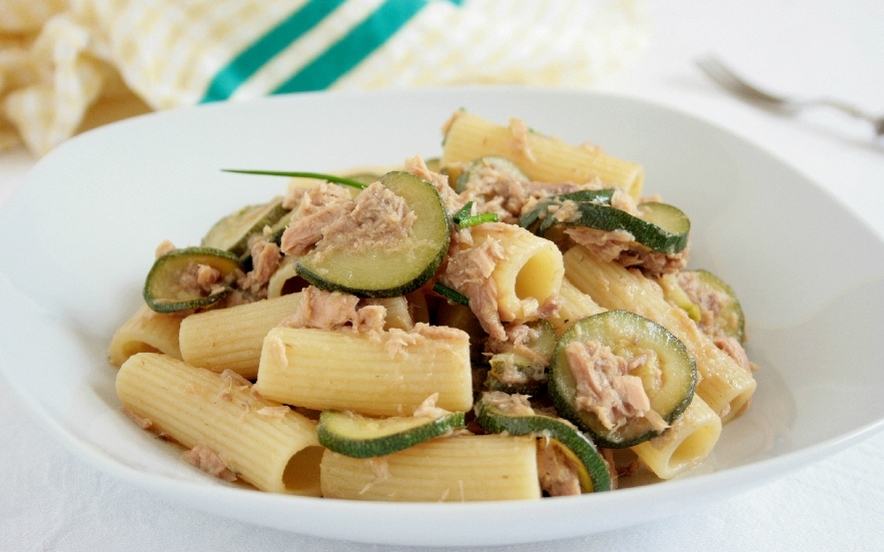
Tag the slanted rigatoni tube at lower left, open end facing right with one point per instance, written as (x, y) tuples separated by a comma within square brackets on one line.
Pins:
[(260, 441)]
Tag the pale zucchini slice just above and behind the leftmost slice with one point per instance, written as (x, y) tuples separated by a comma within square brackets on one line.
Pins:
[(232, 232)]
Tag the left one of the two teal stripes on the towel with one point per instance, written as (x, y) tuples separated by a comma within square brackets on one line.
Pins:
[(265, 48)]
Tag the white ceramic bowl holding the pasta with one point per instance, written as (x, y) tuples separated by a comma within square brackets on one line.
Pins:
[(78, 239)]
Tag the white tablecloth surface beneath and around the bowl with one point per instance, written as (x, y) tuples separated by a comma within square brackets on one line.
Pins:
[(51, 500)]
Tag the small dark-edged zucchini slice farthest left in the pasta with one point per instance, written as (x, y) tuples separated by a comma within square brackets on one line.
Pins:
[(171, 284)]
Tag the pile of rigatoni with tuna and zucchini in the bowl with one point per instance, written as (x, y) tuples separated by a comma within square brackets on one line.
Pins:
[(511, 320)]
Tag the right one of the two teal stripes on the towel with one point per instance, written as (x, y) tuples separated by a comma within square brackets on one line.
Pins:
[(348, 52)]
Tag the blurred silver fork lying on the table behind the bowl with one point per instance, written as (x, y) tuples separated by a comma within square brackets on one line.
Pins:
[(734, 83)]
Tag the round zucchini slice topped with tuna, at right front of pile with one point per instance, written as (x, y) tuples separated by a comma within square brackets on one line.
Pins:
[(667, 372)]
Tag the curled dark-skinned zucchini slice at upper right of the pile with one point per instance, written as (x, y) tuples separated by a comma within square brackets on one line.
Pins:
[(664, 228)]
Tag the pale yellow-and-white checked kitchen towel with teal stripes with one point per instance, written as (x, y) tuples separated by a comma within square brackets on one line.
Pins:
[(65, 64)]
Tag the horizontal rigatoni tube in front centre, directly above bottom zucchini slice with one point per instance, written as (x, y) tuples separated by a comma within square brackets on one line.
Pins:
[(383, 374)]
